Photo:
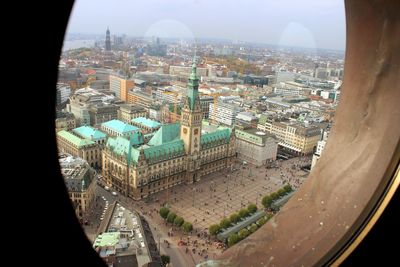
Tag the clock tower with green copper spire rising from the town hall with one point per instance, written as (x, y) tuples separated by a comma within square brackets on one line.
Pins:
[(191, 125)]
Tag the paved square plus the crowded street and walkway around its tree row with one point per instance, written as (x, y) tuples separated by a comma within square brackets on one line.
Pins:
[(205, 203)]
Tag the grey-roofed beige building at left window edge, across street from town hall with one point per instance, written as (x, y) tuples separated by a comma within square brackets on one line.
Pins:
[(80, 181)]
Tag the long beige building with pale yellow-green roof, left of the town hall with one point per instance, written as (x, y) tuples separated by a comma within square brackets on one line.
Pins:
[(79, 147)]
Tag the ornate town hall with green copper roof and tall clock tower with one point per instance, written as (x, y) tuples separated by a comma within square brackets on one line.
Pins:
[(177, 153)]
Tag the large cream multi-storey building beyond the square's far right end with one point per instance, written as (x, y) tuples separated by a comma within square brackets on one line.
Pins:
[(294, 137)]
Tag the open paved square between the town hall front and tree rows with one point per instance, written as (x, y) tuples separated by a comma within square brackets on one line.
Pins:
[(223, 193)]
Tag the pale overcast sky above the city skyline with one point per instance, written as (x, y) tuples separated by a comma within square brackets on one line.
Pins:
[(302, 23)]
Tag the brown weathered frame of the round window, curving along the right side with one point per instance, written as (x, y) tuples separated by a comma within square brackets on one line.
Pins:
[(356, 176)]
